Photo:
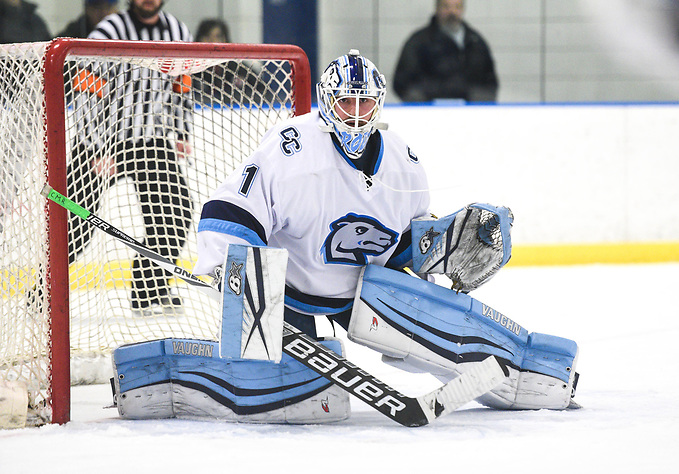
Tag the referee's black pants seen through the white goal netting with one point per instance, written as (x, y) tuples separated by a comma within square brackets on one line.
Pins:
[(165, 207)]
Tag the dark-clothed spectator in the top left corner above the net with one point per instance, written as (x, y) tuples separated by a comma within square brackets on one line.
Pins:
[(19, 23)]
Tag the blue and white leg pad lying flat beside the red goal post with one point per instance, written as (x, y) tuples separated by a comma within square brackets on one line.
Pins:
[(181, 378)]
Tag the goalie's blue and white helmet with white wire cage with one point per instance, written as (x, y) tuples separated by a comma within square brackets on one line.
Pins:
[(350, 99)]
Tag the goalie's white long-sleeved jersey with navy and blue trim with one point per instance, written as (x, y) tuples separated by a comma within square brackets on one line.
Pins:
[(299, 192)]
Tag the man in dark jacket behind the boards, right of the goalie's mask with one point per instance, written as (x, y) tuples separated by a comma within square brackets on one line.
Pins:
[(446, 60)]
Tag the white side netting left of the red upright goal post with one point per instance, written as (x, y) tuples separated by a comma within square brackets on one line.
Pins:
[(24, 324)]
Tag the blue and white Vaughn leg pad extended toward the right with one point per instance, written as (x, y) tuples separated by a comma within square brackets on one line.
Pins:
[(422, 327)]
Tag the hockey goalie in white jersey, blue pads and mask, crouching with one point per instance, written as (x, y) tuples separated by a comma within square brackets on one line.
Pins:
[(330, 216)]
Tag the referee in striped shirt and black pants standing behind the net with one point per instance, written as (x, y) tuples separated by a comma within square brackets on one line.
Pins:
[(134, 123)]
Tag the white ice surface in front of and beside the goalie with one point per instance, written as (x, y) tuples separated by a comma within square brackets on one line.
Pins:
[(624, 318)]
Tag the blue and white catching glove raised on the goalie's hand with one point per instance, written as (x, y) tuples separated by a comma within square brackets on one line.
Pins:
[(469, 246)]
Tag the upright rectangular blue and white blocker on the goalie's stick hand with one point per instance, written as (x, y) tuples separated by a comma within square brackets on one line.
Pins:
[(253, 302)]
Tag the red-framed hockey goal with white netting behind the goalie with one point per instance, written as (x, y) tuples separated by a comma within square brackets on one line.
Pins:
[(73, 116)]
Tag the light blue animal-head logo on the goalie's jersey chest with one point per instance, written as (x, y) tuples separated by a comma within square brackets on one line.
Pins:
[(352, 238)]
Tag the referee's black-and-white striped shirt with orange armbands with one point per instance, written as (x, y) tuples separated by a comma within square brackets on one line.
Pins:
[(133, 103)]
